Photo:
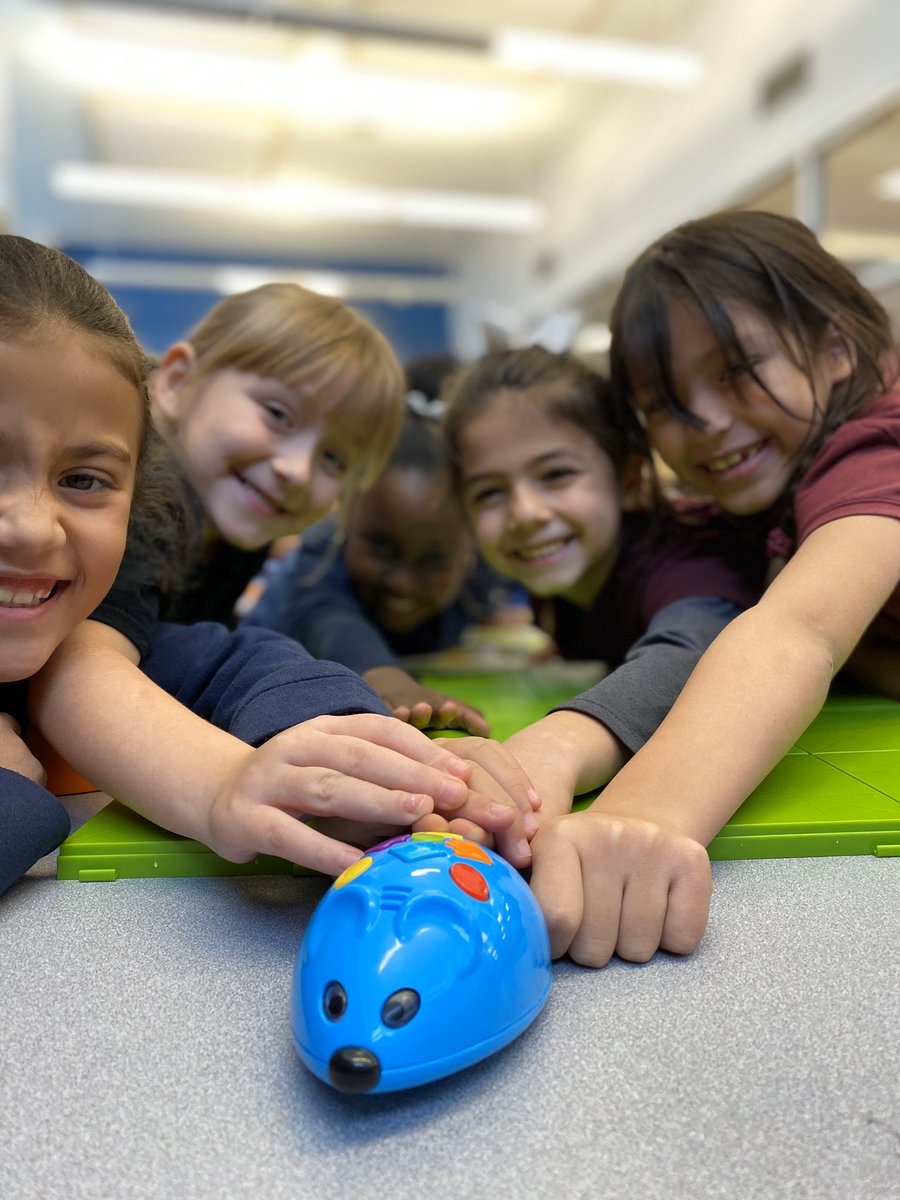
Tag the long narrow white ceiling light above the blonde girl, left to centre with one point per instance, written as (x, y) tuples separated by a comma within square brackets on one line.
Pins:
[(293, 201)]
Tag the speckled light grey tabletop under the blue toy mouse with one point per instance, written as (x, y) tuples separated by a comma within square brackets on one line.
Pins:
[(147, 1054)]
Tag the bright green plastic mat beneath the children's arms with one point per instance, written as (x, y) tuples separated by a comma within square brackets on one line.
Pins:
[(837, 793)]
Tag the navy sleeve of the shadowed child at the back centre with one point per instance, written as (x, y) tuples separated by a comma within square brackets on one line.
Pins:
[(309, 597)]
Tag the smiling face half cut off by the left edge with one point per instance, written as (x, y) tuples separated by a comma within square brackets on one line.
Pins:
[(70, 435)]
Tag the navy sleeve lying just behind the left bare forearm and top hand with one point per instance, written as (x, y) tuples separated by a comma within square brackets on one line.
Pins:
[(253, 682)]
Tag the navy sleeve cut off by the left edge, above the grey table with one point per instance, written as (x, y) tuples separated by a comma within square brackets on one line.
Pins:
[(33, 823)]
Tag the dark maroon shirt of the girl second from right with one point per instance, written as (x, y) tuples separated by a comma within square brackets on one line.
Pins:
[(662, 561)]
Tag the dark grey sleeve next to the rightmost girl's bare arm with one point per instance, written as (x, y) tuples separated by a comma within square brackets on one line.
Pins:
[(634, 700)]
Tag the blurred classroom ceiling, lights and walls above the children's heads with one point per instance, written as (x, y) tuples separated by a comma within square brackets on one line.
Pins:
[(463, 172)]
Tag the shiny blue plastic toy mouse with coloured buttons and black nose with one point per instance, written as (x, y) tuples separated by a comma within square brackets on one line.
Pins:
[(427, 956)]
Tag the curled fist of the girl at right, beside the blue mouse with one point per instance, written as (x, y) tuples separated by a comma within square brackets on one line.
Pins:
[(610, 884)]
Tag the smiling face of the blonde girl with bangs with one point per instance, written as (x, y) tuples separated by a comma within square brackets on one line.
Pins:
[(266, 459)]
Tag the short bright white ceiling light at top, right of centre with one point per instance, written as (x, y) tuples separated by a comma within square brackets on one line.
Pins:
[(597, 58)]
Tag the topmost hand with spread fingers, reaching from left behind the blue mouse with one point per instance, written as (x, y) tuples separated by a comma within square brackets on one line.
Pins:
[(368, 770)]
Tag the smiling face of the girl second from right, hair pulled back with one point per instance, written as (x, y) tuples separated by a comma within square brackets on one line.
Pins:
[(543, 497)]
